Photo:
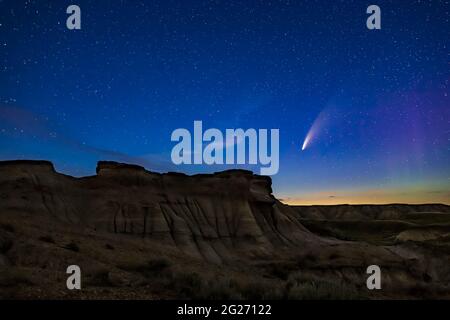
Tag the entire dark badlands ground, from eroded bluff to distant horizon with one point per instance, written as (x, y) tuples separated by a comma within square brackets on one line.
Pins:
[(142, 235)]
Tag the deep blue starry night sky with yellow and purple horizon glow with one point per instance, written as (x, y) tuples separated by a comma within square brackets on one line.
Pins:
[(376, 101)]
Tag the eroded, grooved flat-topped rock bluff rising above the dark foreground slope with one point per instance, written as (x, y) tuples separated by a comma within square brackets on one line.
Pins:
[(211, 216)]
